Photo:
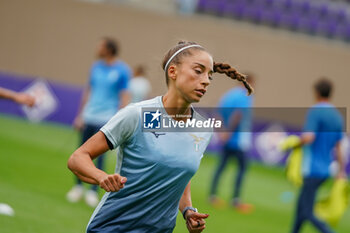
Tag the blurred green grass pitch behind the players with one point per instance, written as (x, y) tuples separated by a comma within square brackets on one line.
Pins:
[(34, 180)]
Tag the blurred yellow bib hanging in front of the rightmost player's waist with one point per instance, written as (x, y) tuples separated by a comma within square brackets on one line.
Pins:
[(294, 161)]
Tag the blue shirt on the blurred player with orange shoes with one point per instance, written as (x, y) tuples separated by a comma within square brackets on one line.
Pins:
[(234, 101)]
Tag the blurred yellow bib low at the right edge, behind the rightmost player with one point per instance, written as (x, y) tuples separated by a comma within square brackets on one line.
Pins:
[(334, 206)]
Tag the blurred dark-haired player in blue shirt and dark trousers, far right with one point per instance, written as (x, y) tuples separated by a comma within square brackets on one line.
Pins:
[(323, 132)]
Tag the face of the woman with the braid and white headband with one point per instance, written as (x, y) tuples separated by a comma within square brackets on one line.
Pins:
[(193, 75)]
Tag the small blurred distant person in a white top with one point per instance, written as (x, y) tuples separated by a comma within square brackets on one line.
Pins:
[(140, 87)]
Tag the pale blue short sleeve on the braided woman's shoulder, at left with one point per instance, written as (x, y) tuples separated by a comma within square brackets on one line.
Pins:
[(122, 126)]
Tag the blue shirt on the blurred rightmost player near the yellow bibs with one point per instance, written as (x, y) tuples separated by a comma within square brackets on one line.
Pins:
[(325, 121)]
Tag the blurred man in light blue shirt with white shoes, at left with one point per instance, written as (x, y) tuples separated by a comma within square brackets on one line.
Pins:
[(105, 93)]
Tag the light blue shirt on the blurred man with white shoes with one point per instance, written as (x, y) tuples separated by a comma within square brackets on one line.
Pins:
[(106, 83)]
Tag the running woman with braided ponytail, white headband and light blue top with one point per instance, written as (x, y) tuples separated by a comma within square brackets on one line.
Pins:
[(153, 171)]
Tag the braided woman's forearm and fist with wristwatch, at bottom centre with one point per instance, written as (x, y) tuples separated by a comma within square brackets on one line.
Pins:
[(195, 221)]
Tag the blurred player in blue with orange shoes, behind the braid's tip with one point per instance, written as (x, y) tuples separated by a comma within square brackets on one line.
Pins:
[(235, 109)]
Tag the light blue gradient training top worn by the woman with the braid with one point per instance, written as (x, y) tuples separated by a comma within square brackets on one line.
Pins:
[(157, 168)]
